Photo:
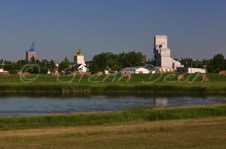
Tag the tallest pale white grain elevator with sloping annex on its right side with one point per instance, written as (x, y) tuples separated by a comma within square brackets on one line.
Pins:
[(162, 54)]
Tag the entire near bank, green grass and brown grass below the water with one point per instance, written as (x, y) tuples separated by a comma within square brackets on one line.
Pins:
[(196, 127)]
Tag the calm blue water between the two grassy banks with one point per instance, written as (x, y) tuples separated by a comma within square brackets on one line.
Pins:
[(28, 105)]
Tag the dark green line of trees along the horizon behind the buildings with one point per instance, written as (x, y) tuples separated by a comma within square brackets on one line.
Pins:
[(111, 62)]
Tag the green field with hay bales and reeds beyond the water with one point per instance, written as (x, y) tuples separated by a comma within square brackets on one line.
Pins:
[(114, 83)]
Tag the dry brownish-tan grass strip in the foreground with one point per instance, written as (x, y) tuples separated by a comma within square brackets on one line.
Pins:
[(191, 133)]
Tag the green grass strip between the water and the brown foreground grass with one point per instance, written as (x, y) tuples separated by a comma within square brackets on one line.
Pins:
[(135, 114)]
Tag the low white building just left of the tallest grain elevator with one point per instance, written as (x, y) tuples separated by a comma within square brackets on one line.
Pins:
[(135, 70)]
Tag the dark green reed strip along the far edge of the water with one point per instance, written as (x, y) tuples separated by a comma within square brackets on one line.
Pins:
[(73, 90)]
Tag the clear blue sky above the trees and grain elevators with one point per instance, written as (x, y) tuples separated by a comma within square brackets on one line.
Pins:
[(195, 28)]
